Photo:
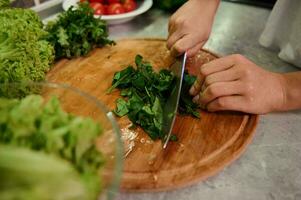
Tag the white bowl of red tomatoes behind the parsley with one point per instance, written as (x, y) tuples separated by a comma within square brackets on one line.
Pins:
[(114, 11)]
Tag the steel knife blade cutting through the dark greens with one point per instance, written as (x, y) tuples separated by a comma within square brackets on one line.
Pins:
[(171, 105)]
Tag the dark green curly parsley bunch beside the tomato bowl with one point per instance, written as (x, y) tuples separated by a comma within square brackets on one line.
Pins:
[(77, 32)]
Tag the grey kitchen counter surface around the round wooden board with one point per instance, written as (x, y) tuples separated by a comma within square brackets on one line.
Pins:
[(270, 169)]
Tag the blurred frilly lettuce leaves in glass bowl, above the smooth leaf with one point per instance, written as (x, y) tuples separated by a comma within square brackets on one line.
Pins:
[(44, 127)]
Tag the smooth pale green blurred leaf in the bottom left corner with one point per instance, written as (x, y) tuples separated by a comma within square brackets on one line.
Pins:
[(30, 175)]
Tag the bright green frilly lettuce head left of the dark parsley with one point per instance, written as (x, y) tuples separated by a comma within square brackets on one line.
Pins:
[(24, 53)]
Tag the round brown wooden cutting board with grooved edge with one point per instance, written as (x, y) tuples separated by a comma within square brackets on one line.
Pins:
[(205, 145)]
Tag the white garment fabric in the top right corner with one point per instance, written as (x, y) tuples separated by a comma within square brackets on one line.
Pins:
[(283, 31)]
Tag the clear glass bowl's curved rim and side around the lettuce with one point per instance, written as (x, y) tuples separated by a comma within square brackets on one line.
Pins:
[(79, 103)]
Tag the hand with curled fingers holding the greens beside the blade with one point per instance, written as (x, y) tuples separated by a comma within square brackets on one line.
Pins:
[(235, 83)]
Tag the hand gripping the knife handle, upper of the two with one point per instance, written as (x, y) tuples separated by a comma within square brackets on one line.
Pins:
[(189, 28)]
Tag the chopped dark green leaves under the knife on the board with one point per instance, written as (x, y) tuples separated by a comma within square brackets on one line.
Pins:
[(145, 93)]
